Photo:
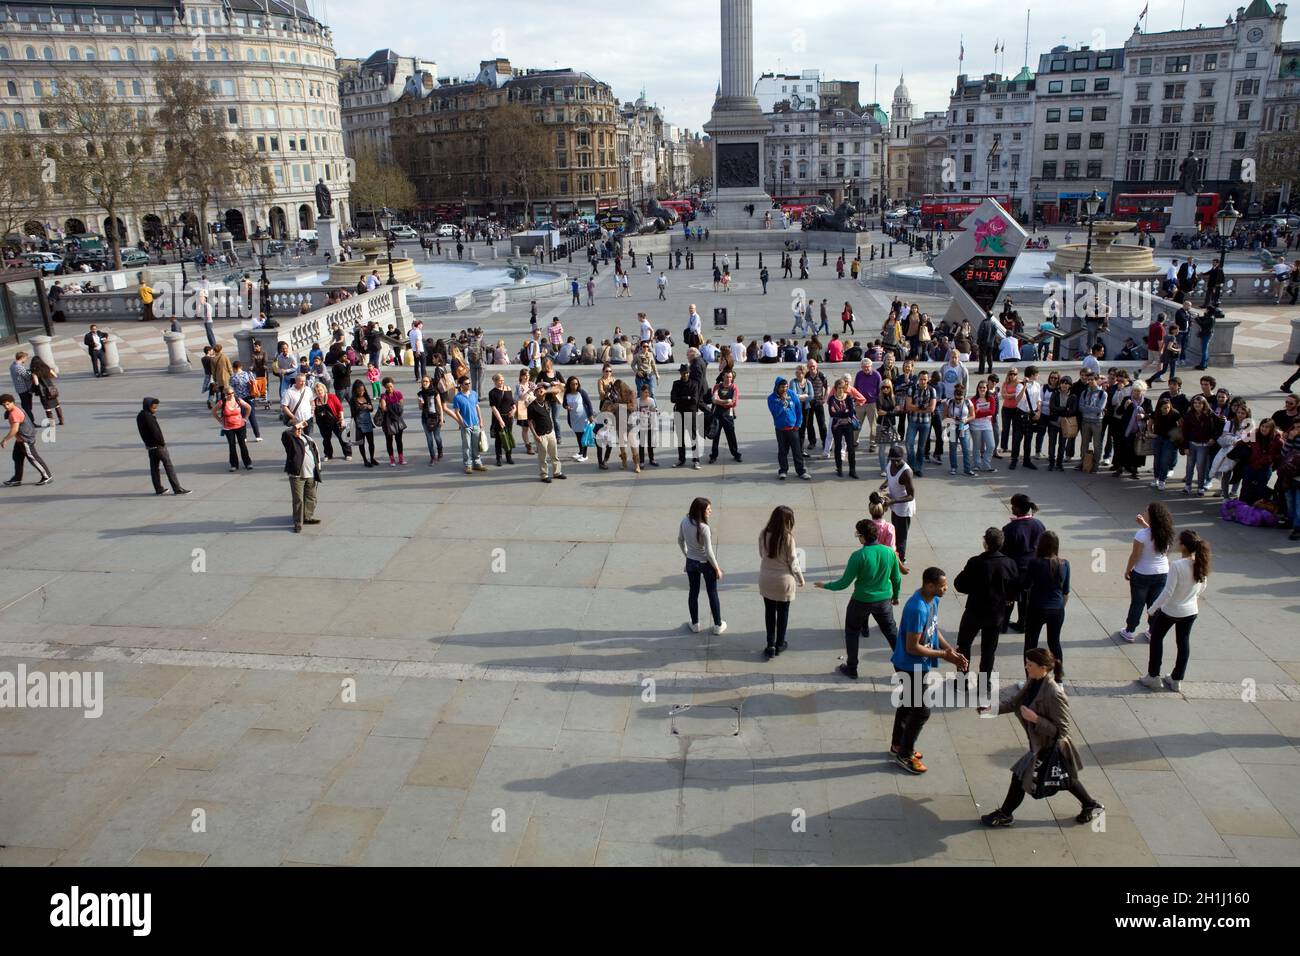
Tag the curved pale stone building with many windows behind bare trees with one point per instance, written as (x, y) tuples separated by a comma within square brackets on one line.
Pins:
[(271, 70)]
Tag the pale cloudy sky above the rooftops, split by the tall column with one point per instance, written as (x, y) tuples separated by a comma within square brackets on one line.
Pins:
[(671, 47)]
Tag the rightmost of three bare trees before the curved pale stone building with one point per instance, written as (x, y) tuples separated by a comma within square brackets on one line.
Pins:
[(205, 158)]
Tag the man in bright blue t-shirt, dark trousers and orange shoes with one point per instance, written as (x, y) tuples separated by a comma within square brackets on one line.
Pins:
[(921, 650)]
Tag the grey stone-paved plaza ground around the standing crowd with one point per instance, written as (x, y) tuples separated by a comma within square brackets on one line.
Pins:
[(488, 671)]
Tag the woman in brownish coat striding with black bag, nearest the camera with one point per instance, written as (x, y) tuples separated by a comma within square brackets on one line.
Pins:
[(1045, 712)]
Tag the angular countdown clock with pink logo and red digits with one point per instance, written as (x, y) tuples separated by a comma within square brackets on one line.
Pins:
[(976, 267)]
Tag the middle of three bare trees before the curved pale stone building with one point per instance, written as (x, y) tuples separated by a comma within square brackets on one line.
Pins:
[(103, 152)]
